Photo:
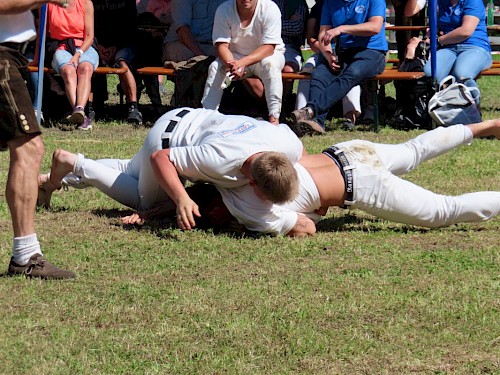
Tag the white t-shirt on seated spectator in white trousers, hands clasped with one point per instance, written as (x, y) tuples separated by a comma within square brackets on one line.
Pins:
[(265, 27)]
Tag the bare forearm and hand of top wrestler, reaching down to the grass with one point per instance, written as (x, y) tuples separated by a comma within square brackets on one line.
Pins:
[(169, 180)]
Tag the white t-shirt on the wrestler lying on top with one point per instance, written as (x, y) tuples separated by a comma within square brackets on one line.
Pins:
[(213, 147)]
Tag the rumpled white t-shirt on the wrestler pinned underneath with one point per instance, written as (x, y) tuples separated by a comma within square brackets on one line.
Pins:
[(265, 217)]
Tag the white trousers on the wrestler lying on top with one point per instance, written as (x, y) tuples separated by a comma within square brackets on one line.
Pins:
[(129, 181)]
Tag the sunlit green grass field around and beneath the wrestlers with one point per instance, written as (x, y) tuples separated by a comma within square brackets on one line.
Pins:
[(364, 296)]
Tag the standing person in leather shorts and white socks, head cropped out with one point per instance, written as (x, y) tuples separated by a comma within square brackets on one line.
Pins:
[(20, 133)]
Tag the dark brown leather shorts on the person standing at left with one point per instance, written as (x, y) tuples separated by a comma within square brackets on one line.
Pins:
[(17, 117)]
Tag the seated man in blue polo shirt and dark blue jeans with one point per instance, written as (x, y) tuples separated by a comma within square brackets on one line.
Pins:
[(353, 47)]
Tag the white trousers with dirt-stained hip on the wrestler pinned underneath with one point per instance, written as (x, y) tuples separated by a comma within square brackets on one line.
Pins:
[(378, 190)]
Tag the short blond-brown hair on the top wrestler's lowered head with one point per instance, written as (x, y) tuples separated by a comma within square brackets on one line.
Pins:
[(275, 176)]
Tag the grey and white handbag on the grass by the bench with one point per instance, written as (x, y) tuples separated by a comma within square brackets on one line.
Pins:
[(455, 104)]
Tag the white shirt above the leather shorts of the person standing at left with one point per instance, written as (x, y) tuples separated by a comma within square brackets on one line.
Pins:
[(17, 28)]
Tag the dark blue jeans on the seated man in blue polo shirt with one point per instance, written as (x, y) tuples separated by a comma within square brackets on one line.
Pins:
[(328, 87)]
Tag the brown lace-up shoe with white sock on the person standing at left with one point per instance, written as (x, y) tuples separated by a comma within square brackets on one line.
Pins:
[(39, 267)]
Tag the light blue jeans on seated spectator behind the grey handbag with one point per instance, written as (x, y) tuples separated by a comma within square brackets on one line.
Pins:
[(462, 61)]
